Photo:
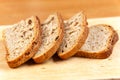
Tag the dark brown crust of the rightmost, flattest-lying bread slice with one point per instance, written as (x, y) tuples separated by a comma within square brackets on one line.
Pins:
[(107, 51)]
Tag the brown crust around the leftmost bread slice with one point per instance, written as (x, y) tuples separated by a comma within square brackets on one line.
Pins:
[(31, 49)]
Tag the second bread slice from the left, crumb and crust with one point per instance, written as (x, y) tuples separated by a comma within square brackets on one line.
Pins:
[(52, 37)]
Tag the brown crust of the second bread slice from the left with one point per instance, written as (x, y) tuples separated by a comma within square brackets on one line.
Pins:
[(48, 54)]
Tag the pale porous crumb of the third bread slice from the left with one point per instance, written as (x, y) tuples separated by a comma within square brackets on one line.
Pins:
[(72, 32)]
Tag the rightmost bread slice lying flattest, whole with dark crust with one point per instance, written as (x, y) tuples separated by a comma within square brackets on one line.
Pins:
[(100, 42)]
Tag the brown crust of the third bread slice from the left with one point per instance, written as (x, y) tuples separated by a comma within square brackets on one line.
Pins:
[(79, 42)]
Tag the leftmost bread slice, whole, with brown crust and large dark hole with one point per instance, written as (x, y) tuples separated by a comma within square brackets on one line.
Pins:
[(22, 41)]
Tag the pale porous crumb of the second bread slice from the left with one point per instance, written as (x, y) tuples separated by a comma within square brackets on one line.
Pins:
[(50, 31)]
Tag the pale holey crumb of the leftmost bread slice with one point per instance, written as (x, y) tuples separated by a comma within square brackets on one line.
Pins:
[(18, 38)]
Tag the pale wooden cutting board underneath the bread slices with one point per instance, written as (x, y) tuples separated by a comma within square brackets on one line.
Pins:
[(75, 68)]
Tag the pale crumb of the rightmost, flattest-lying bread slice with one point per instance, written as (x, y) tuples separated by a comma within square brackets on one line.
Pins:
[(97, 39)]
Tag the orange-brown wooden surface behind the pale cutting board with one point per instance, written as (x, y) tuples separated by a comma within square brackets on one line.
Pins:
[(12, 11)]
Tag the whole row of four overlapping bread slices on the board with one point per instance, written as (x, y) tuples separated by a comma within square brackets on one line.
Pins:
[(30, 39)]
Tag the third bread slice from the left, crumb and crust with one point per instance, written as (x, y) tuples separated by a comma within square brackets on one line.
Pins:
[(76, 32)]
